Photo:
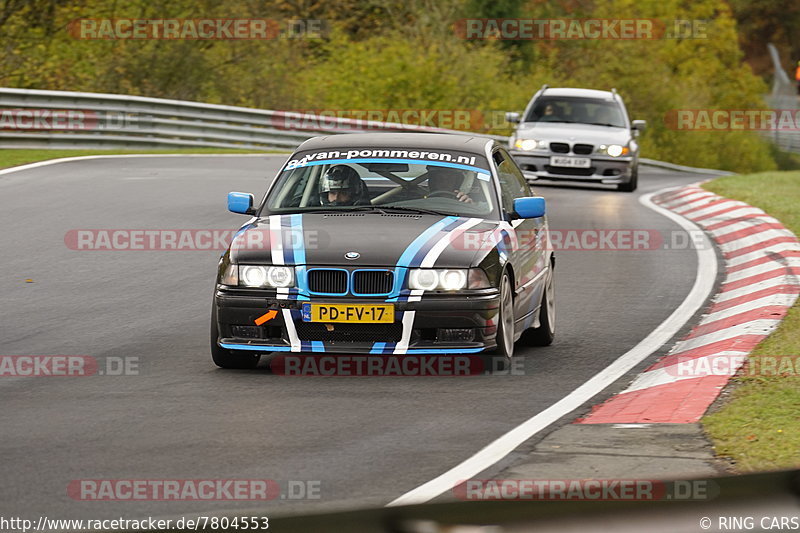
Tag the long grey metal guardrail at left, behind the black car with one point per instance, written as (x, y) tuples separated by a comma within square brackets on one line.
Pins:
[(106, 121)]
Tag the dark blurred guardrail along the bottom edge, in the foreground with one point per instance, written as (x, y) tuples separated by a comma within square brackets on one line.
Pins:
[(755, 501)]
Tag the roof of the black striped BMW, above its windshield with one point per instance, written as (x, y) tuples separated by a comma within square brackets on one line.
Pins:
[(438, 141)]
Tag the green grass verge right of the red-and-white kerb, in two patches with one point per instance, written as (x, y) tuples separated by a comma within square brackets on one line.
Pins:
[(759, 427)]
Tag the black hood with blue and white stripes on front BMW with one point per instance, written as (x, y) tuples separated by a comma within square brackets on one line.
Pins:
[(378, 239)]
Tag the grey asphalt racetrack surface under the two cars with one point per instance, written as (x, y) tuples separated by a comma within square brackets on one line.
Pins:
[(359, 440)]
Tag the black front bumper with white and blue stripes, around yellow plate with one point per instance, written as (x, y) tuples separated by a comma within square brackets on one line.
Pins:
[(421, 327)]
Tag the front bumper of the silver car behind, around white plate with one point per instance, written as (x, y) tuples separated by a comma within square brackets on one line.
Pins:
[(604, 169)]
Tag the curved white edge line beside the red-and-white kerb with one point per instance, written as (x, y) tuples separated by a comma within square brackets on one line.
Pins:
[(505, 444)]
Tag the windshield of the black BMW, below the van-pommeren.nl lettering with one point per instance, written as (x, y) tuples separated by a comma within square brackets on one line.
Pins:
[(413, 185)]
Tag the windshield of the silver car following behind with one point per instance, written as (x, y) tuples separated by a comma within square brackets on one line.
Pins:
[(578, 110)]
